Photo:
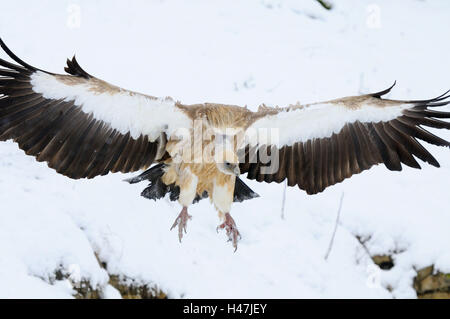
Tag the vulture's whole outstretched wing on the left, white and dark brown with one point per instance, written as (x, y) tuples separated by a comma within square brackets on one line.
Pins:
[(80, 125)]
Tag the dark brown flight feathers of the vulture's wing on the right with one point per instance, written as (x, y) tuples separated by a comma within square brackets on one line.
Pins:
[(316, 164)]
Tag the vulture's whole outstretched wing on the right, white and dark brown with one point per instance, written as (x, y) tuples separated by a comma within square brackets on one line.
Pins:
[(321, 144)]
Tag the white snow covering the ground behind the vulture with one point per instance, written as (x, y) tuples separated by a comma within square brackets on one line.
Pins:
[(261, 51)]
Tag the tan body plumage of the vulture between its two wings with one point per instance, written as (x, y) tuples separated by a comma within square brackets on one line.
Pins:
[(204, 174)]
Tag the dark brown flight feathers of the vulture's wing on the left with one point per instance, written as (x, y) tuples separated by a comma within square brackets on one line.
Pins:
[(59, 133)]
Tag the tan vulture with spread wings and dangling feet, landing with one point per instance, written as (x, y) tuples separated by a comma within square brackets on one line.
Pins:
[(84, 127)]
